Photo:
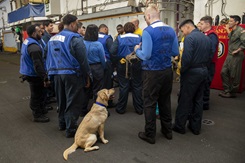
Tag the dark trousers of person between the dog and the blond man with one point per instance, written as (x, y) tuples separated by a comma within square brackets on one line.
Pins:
[(135, 82)]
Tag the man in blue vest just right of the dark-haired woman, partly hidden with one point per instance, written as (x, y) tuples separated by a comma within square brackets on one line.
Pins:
[(106, 40)]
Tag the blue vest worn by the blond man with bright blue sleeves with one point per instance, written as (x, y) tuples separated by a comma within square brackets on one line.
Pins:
[(162, 38)]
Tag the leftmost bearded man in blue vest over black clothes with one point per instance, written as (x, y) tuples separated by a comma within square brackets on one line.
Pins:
[(32, 70)]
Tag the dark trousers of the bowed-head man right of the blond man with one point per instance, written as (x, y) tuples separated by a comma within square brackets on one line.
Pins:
[(190, 102)]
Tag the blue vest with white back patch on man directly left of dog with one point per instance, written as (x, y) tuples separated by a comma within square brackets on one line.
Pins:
[(59, 58)]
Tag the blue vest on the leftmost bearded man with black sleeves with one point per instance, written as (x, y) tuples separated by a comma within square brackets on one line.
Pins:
[(26, 63)]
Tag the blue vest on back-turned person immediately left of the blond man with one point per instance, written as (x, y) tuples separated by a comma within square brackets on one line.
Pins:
[(126, 44)]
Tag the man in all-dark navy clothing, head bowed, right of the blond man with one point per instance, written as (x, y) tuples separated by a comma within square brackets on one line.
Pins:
[(195, 58)]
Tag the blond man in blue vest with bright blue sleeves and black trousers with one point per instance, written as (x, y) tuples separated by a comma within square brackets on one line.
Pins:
[(159, 44)]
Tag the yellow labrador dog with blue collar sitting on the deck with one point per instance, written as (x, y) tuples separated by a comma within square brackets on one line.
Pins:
[(92, 123)]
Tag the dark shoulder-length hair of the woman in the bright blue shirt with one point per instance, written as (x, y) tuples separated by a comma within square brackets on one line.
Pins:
[(91, 33)]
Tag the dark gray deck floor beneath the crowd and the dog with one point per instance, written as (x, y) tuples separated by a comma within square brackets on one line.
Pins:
[(23, 141)]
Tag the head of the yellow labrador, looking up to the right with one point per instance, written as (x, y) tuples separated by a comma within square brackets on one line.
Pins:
[(104, 95)]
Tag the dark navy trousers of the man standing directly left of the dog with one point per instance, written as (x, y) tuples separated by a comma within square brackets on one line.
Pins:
[(70, 92)]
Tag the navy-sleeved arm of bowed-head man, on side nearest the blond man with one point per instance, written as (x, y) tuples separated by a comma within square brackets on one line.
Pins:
[(187, 54)]
